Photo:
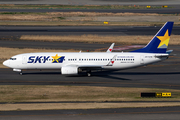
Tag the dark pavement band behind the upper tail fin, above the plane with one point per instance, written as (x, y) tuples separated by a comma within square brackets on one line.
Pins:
[(6, 31)]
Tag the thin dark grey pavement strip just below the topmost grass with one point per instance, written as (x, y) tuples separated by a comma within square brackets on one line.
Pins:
[(175, 10)]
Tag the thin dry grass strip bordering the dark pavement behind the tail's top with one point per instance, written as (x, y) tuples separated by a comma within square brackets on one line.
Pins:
[(80, 23)]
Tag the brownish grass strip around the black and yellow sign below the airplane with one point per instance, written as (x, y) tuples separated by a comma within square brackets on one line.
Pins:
[(44, 93)]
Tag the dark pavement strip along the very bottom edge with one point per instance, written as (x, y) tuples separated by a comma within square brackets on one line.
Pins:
[(157, 113)]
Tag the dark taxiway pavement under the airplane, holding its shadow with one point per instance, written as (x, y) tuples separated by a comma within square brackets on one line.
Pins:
[(145, 77)]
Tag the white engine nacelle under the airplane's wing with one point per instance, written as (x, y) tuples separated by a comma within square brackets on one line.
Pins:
[(69, 70)]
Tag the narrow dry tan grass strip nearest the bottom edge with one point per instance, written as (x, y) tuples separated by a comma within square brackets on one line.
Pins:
[(57, 106)]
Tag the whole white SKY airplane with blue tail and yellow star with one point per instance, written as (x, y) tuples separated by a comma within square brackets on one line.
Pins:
[(73, 63)]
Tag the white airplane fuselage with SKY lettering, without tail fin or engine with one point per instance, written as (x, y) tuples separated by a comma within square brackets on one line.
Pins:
[(45, 60)]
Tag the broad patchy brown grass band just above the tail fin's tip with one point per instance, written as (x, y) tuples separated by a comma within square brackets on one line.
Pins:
[(85, 18)]
